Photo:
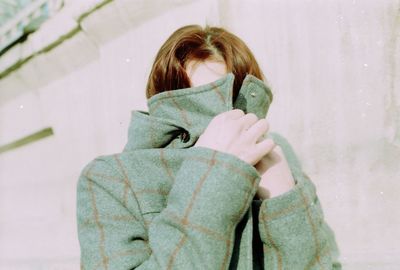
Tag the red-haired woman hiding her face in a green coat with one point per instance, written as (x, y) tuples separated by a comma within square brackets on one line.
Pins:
[(200, 183)]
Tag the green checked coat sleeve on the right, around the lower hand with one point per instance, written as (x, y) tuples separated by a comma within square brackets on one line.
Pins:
[(292, 227)]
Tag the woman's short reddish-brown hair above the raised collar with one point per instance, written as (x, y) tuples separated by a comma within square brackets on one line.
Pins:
[(192, 42)]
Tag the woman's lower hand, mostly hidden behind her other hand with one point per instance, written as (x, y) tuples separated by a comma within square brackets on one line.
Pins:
[(276, 177)]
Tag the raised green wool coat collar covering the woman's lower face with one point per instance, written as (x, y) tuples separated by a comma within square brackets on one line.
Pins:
[(177, 118)]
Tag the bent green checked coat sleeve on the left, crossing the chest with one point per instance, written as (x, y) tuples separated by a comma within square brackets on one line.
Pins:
[(212, 191)]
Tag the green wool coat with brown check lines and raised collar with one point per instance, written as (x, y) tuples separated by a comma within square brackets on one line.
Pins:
[(163, 204)]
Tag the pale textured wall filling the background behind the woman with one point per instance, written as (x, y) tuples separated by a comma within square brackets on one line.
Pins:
[(334, 70)]
